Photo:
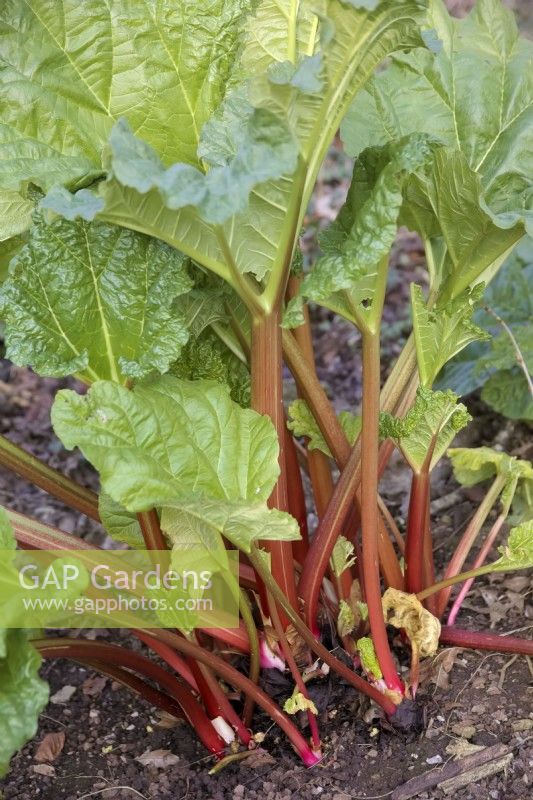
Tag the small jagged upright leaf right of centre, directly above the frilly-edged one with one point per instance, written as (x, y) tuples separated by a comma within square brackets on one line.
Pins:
[(441, 333)]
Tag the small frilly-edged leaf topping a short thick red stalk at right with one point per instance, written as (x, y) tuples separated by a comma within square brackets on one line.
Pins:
[(428, 428)]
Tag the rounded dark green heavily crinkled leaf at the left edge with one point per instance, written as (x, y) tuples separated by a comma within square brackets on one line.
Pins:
[(93, 300)]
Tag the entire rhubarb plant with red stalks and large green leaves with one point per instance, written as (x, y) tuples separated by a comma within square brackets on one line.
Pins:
[(157, 162)]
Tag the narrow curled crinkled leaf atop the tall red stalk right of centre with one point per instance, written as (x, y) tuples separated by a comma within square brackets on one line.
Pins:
[(357, 246)]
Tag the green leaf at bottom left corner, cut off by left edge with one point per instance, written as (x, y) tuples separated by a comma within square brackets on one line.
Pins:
[(23, 695)]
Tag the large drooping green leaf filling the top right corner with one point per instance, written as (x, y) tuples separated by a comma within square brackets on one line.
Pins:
[(476, 96)]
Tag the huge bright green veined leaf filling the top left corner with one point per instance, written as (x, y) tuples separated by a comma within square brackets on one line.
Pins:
[(67, 77)]
